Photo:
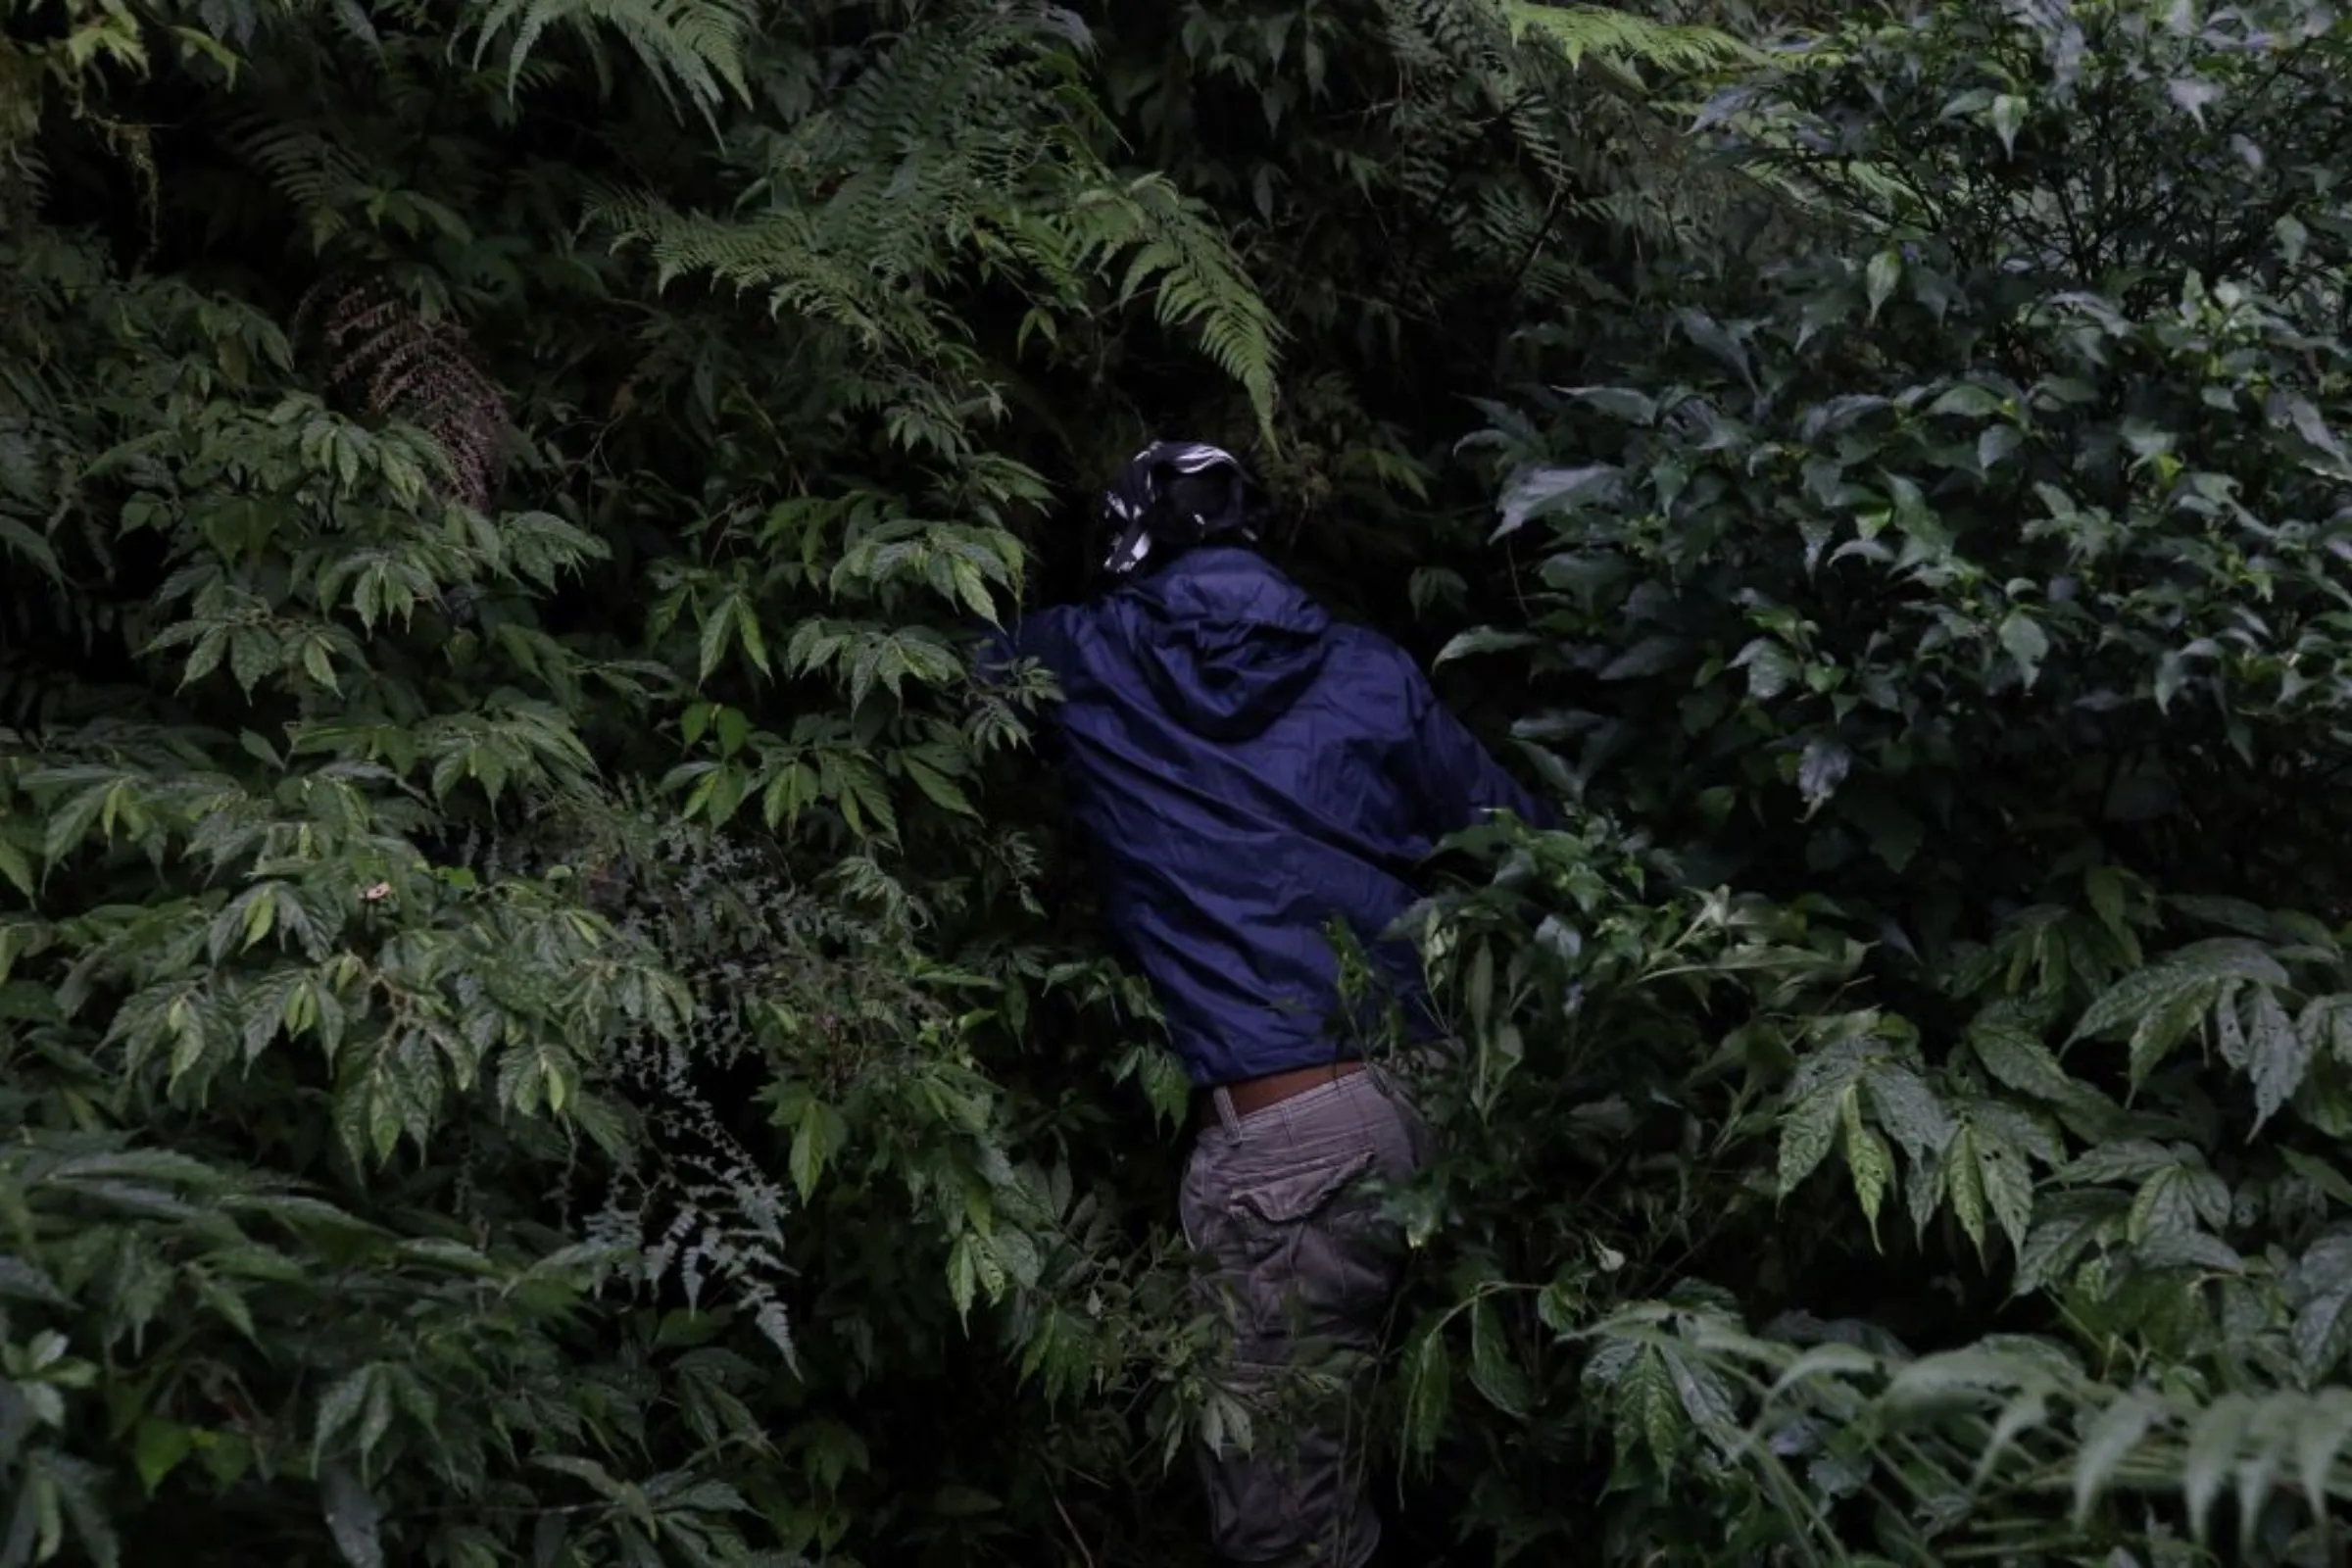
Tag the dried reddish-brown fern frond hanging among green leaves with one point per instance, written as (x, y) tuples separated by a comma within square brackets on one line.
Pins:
[(401, 363)]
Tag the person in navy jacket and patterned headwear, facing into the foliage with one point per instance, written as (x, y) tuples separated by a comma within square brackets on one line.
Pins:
[(1250, 772)]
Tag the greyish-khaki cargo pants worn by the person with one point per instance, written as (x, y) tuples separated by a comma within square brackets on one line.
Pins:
[(1304, 1273)]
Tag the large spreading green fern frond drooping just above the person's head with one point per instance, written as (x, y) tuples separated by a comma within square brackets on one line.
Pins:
[(961, 142)]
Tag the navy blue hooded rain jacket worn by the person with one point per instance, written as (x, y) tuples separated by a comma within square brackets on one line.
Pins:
[(1248, 770)]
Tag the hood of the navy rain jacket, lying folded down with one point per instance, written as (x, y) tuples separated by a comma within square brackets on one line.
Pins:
[(1227, 641)]
